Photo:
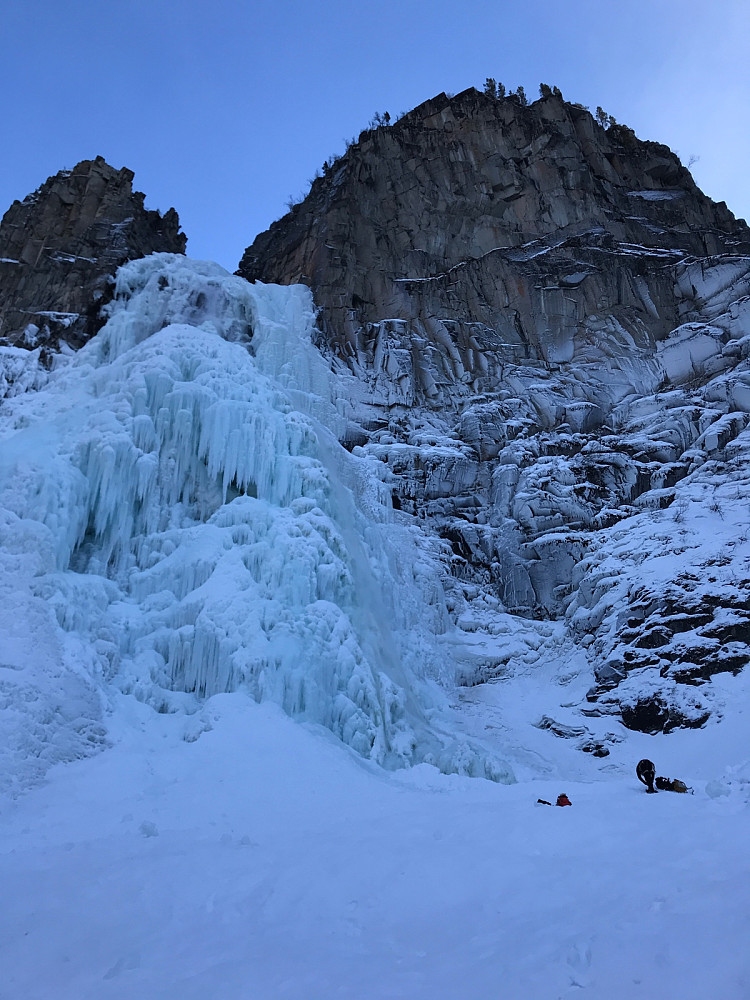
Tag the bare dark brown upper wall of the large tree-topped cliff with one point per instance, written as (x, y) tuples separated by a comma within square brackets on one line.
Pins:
[(493, 231)]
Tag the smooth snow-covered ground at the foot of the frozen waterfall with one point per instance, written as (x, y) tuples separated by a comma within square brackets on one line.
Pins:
[(265, 860)]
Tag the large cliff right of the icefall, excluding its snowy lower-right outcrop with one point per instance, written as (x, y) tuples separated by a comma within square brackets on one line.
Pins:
[(506, 278)]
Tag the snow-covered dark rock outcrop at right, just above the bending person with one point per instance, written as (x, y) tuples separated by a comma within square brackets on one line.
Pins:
[(664, 600)]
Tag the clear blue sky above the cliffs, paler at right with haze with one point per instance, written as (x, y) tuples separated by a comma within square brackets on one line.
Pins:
[(226, 109)]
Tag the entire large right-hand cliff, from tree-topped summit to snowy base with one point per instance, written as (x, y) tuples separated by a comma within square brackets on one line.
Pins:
[(540, 325)]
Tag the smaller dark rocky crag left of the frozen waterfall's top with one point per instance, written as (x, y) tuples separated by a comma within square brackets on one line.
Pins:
[(60, 246)]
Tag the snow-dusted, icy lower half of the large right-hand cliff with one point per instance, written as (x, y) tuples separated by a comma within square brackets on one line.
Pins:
[(610, 496)]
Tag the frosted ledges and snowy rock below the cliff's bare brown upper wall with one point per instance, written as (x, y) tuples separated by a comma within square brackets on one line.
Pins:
[(532, 469)]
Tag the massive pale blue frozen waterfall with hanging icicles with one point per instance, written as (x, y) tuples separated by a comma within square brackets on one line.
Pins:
[(177, 501)]
